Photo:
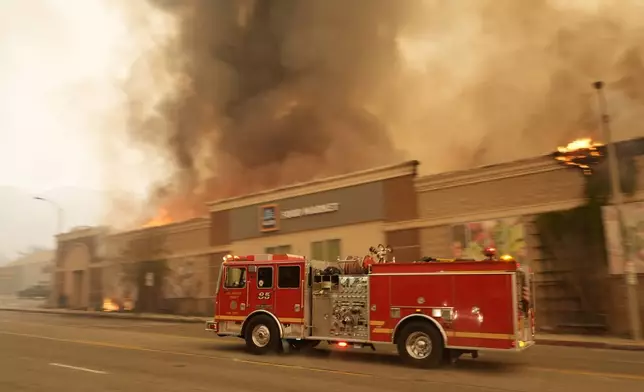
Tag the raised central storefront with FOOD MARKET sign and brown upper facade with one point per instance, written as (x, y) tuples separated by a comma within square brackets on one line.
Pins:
[(324, 219)]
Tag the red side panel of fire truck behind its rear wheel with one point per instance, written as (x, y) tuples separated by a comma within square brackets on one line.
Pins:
[(484, 307)]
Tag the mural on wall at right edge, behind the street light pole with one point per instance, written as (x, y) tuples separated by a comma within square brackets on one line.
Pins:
[(633, 214)]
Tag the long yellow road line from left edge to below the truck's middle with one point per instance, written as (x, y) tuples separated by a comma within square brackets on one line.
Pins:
[(179, 353)]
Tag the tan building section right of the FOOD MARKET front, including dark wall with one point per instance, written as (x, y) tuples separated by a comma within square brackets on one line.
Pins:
[(460, 213)]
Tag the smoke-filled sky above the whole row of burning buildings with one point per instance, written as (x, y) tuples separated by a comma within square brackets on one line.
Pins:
[(167, 104)]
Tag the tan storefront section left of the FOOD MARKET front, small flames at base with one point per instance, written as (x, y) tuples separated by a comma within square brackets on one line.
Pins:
[(157, 269)]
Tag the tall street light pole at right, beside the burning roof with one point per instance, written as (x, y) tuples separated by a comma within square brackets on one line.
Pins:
[(630, 274)]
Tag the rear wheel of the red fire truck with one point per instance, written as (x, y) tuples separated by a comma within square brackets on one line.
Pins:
[(420, 344)]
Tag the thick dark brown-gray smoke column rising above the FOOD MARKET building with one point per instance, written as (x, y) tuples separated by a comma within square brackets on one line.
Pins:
[(277, 92)]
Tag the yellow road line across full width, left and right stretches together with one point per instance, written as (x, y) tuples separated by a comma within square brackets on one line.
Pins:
[(622, 376)]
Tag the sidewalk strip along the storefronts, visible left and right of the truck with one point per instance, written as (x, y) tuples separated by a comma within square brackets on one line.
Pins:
[(601, 342)]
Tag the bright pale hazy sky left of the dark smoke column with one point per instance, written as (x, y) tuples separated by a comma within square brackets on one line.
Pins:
[(61, 123)]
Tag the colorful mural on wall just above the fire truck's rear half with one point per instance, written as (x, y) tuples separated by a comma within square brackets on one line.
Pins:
[(506, 235)]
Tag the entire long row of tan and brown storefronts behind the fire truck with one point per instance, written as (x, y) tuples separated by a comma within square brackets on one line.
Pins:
[(451, 214)]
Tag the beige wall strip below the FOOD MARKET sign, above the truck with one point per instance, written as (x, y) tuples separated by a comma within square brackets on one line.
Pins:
[(356, 240)]
